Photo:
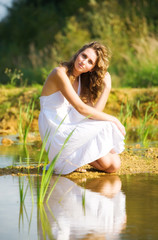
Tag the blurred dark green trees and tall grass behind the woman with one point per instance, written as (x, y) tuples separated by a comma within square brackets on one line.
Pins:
[(37, 34)]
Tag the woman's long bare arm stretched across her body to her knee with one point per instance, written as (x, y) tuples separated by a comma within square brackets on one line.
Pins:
[(64, 86)]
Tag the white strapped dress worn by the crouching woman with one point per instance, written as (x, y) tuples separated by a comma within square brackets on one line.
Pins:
[(90, 140)]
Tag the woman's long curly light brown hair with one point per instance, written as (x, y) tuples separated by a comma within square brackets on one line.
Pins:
[(91, 82)]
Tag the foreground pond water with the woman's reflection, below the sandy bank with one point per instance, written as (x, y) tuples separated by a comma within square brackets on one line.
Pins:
[(109, 207)]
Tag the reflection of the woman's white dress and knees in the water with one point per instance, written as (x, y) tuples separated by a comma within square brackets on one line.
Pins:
[(96, 211)]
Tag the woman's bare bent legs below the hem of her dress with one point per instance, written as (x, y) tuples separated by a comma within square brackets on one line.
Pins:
[(109, 163)]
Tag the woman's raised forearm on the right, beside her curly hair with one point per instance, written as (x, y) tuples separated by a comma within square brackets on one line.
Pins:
[(100, 104)]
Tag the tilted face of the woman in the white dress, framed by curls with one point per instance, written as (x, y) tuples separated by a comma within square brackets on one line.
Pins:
[(85, 61)]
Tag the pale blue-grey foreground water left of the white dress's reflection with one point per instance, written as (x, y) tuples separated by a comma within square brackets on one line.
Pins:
[(14, 219)]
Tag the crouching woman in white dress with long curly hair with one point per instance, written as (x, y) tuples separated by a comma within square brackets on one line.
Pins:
[(75, 94)]
